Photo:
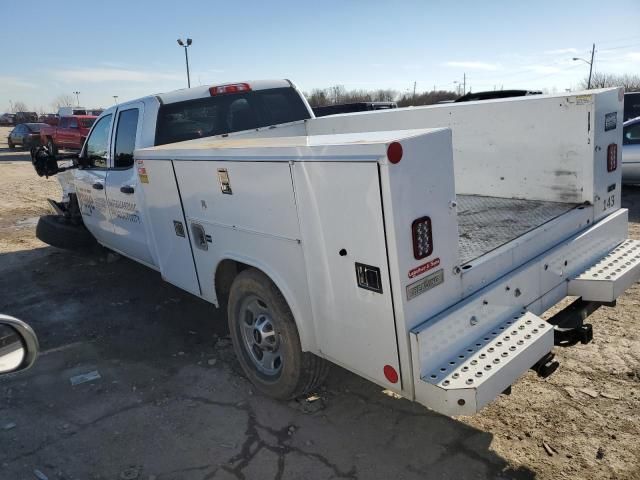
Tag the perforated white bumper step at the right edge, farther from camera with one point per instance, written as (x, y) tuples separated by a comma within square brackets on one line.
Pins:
[(610, 276)]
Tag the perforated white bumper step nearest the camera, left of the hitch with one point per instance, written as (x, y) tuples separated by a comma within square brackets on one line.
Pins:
[(480, 371)]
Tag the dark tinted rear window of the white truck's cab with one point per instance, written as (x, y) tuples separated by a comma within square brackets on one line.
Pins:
[(220, 114)]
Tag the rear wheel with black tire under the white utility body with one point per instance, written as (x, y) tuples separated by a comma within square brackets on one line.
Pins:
[(256, 304)]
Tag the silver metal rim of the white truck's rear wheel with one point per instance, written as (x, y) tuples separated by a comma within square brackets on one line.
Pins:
[(260, 340)]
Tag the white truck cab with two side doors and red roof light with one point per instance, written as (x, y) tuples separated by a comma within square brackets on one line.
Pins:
[(106, 185)]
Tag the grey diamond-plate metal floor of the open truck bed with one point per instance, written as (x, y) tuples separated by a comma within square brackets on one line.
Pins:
[(485, 223)]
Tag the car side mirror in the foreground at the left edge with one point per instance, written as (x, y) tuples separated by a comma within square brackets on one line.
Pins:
[(18, 345)]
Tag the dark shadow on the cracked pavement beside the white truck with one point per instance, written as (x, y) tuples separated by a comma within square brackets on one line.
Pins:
[(164, 354)]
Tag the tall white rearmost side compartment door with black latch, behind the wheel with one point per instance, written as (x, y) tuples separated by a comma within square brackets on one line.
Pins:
[(343, 238)]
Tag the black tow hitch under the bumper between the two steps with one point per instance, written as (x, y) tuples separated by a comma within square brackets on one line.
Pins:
[(569, 327)]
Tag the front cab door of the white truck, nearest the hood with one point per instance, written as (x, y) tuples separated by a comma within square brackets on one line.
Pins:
[(90, 180)]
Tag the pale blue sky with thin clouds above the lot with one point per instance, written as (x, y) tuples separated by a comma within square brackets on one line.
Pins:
[(128, 48)]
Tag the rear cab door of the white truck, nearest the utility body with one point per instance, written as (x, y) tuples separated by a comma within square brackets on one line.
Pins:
[(124, 196)]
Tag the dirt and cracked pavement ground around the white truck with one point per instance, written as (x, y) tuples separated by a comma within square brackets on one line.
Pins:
[(172, 403)]
